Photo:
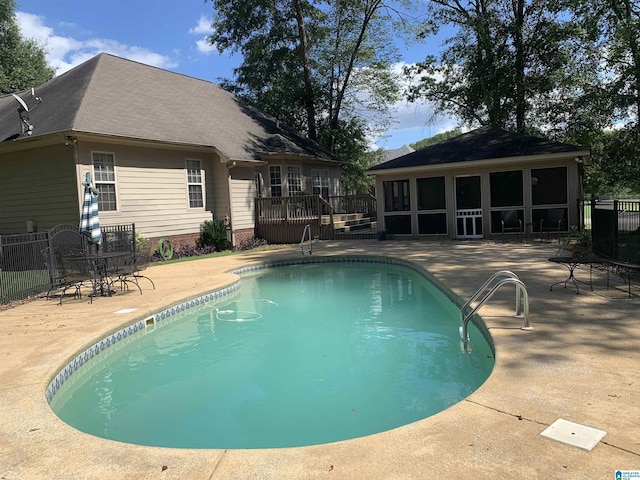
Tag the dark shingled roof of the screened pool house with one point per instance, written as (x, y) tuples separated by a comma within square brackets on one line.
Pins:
[(485, 143)]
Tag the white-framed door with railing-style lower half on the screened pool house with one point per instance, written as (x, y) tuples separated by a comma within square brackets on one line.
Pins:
[(468, 207)]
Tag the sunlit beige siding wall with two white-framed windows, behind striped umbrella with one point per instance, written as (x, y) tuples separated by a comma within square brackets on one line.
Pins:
[(151, 188)]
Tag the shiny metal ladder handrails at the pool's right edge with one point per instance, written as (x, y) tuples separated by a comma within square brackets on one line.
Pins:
[(522, 302)]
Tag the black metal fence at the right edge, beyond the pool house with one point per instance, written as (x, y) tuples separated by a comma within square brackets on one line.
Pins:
[(615, 229)]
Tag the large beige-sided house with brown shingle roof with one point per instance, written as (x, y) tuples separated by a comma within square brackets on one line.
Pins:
[(165, 151)]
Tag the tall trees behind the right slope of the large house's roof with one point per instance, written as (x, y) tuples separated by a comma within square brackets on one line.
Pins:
[(315, 66)]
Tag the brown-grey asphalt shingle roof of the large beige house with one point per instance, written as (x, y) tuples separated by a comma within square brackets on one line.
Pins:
[(112, 96)]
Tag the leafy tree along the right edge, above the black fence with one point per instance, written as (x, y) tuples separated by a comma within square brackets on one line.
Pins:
[(608, 120)]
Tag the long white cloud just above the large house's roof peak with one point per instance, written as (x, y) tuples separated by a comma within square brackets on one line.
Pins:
[(64, 53)]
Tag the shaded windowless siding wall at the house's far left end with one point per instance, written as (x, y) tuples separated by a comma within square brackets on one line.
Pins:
[(38, 185)]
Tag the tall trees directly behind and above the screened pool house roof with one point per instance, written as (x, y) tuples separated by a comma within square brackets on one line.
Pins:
[(508, 60)]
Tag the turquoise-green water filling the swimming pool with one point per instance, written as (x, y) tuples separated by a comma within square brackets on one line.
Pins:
[(301, 355)]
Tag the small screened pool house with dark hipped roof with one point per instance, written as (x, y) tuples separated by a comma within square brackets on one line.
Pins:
[(481, 184)]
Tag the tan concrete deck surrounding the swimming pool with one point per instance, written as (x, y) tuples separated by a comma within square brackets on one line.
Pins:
[(580, 363)]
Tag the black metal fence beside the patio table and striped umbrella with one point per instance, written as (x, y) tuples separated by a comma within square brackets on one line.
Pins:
[(25, 265)]
